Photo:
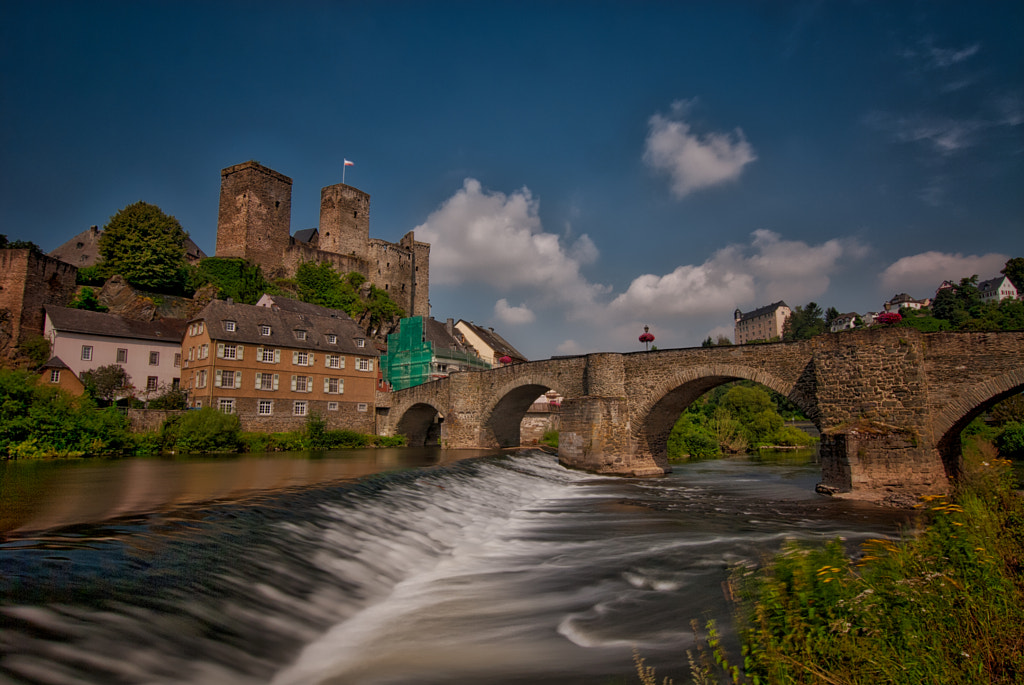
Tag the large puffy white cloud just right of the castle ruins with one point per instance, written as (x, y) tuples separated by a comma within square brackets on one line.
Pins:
[(489, 238)]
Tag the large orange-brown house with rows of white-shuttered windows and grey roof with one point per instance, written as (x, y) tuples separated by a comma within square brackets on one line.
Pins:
[(279, 362)]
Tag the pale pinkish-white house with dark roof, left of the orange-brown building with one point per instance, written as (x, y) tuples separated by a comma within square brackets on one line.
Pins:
[(81, 340)]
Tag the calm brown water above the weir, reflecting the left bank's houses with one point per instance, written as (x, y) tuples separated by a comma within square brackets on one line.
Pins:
[(44, 495)]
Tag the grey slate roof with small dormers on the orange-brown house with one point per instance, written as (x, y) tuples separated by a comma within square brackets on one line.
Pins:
[(284, 319)]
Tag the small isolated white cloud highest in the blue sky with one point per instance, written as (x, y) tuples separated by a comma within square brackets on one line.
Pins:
[(693, 161)]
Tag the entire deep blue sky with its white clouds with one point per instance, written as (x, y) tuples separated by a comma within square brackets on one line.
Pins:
[(582, 169)]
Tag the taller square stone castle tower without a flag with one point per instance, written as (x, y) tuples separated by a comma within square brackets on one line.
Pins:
[(255, 216)]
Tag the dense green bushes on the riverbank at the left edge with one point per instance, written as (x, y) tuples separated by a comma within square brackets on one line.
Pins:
[(38, 420)]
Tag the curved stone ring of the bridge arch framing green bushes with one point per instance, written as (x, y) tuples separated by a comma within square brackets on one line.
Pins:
[(658, 414)]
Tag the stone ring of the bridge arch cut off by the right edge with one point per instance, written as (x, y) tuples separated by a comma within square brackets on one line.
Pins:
[(971, 404)]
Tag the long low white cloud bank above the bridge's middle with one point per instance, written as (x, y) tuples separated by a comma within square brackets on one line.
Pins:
[(767, 270)]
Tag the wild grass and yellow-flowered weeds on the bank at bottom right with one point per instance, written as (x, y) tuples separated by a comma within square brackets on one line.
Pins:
[(944, 607)]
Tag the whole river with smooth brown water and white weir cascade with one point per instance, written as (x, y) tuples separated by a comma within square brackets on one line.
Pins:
[(504, 570)]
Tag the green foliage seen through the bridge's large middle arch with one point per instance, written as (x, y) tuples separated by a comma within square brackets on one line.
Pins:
[(735, 418)]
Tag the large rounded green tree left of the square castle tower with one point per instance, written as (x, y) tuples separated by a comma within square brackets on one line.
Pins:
[(146, 247)]
